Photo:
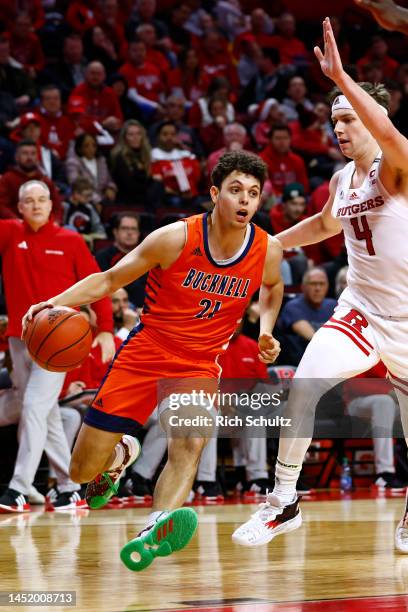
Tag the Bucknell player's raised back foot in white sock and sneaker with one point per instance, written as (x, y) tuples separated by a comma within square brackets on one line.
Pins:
[(106, 485)]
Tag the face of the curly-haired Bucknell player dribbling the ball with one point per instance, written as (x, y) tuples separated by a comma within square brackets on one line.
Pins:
[(238, 198)]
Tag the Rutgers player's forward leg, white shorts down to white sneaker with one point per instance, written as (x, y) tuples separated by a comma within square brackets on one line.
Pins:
[(337, 351)]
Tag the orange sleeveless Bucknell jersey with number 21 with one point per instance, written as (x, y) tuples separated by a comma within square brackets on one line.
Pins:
[(195, 305)]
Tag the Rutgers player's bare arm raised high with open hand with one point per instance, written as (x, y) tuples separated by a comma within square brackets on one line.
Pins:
[(392, 143)]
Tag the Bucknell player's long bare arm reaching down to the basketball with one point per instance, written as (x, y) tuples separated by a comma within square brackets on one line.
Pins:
[(160, 248)]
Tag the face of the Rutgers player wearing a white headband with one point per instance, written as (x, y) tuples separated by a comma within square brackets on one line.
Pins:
[(353, 136)]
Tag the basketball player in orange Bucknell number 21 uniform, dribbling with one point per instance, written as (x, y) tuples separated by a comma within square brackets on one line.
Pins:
[(203, 271)]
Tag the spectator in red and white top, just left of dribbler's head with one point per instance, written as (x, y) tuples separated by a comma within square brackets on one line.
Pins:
[(177, 168)]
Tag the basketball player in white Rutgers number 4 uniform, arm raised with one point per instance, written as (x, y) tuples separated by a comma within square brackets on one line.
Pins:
[(369, 202)]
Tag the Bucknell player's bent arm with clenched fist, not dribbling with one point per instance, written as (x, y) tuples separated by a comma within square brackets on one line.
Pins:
[(270, 301)]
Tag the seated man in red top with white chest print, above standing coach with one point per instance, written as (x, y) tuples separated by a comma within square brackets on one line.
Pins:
[(57, 129)]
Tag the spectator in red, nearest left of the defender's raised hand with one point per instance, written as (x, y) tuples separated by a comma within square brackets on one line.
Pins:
[(293, 51)]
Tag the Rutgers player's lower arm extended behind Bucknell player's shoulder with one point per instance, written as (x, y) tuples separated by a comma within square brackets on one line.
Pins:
[(313, 229)]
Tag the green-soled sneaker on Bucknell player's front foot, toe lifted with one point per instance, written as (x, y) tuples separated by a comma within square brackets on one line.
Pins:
[(172, 531)]
